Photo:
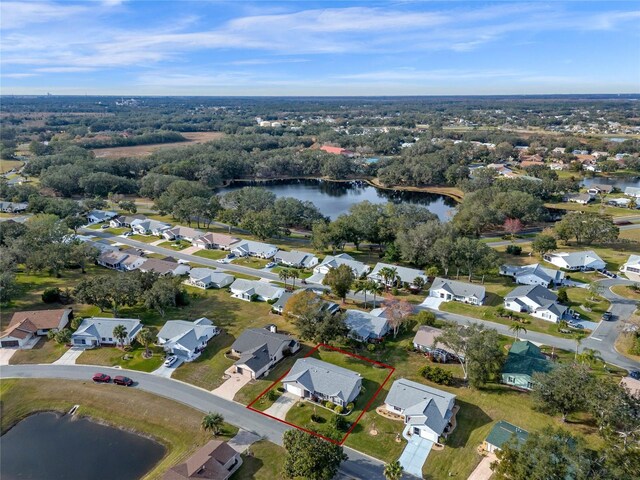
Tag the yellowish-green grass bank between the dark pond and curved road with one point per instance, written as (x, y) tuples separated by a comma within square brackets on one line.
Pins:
[(131, 408)]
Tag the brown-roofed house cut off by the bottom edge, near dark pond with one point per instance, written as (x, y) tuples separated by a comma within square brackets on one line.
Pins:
[(217, 460)]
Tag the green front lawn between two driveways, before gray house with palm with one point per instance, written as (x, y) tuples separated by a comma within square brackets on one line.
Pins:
[(133, 359)]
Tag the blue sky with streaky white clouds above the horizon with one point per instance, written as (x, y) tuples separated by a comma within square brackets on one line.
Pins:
[(407, 47)]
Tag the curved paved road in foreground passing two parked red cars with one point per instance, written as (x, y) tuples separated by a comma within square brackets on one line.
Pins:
[(358, 465)]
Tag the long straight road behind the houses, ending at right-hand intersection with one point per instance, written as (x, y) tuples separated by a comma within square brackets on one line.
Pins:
[(603, 339)]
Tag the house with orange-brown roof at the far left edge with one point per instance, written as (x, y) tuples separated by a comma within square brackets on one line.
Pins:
[(25, 327)]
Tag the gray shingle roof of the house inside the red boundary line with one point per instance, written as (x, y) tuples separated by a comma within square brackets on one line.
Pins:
[(325, 378)]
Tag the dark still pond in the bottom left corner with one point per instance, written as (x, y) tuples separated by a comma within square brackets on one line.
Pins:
[(54, 447)]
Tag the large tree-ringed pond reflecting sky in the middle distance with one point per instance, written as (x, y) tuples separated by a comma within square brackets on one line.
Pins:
[(335, 198)]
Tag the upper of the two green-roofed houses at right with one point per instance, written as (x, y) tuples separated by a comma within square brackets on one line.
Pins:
[(524, 359)]
